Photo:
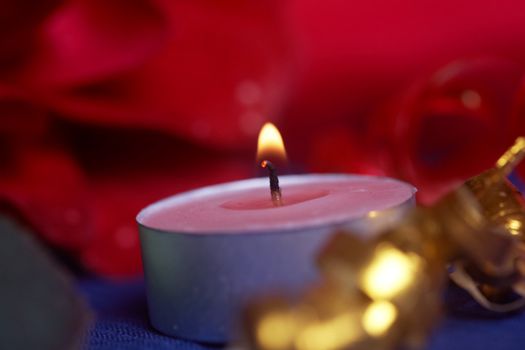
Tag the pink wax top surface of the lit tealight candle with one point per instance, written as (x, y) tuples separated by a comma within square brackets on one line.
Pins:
[(246, 206)]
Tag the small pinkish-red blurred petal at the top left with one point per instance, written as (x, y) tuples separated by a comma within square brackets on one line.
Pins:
[(87, 40)]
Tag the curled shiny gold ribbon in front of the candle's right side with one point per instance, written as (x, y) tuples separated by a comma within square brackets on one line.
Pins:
[(385, 292)]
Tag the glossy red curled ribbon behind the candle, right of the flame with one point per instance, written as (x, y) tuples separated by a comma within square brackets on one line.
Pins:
[(451, 126)]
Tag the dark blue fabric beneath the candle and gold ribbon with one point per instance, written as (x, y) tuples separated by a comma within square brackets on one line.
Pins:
[(122, 322)]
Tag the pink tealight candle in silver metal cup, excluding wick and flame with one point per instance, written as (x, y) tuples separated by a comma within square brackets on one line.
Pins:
[(208, 251)]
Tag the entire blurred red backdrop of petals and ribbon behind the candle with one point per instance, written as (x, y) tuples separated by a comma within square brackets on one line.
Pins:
[(107, 106)]
